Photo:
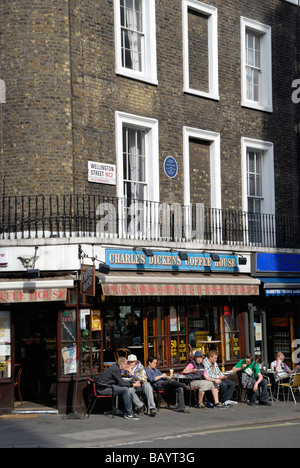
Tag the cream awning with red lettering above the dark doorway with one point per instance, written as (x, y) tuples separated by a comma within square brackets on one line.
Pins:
[(21, 290)]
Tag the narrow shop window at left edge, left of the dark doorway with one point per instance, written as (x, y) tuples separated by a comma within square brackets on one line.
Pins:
[(5, 345)]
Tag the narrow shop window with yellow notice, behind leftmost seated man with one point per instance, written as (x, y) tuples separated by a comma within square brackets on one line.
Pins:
[(91, 338)]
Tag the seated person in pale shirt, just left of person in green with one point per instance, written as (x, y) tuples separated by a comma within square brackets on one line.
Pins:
[(213, 374)]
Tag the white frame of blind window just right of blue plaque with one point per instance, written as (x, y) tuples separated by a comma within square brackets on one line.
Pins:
[(215, 164)]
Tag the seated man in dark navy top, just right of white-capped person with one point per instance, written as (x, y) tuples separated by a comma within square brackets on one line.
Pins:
[(161, 381)]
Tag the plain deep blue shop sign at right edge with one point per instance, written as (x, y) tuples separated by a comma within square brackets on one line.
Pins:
[(277, 263)]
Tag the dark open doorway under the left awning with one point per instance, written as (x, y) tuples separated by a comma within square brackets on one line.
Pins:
[(36, 355)]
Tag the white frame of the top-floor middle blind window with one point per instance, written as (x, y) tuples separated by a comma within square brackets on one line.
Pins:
[(212, 14)]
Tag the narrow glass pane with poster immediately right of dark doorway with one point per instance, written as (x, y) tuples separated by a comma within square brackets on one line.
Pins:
[(68, 342)]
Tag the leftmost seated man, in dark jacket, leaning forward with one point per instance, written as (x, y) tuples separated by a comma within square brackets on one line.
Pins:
[(112, 376)]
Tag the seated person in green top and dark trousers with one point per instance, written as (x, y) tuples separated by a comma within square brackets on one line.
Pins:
[(252, 379)]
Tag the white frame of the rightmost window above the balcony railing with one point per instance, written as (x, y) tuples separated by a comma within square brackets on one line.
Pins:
[(268, 182)]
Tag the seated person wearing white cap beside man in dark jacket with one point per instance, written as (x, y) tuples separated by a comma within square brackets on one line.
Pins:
[(137, 371)]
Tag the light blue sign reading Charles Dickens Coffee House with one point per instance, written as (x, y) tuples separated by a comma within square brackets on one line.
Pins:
[(169, 261)]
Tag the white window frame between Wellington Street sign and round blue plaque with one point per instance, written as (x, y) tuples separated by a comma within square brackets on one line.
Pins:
[(151, 148)]
